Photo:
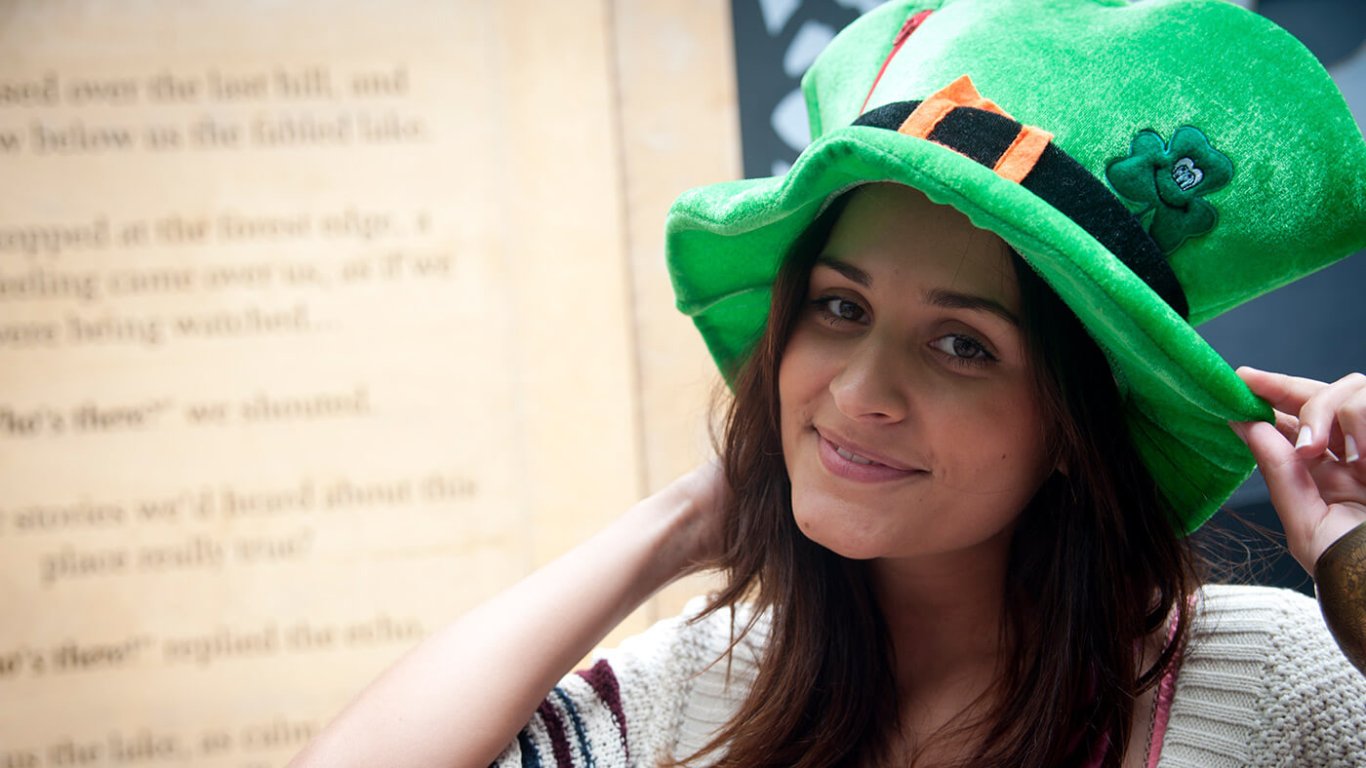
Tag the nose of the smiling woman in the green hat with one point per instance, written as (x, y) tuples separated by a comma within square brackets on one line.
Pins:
[(874, 382)]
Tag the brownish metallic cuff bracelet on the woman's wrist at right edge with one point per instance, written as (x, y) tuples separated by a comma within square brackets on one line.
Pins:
[(1341, 584)]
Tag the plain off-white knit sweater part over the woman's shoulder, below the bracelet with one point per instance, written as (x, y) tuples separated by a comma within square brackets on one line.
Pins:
[(1263, 684)]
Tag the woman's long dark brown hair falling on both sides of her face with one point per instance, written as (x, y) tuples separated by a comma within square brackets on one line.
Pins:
[(1095, 568)]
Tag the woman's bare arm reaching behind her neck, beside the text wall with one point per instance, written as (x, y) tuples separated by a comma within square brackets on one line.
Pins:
[(462, 696)]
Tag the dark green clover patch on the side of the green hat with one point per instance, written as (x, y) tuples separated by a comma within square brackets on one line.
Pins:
[(1170, 181)]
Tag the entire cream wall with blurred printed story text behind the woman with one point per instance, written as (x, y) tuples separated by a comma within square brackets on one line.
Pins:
[(319, 323)]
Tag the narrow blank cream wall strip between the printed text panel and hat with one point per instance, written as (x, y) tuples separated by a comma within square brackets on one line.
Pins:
[(680, 126)]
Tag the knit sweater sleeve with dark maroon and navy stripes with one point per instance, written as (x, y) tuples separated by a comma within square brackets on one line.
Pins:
[(659, 695)]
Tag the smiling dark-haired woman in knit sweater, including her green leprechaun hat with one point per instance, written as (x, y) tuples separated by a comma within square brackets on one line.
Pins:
[(972, 426)]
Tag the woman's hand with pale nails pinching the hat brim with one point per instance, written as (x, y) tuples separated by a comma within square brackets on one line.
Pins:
[(1312, 457)]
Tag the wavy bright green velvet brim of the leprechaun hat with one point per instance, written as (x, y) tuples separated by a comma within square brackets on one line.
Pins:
[(726, 244)]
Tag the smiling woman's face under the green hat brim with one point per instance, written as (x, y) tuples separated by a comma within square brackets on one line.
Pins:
[(910, 424)]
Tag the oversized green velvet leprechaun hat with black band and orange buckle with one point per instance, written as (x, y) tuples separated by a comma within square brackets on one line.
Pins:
[(1158, 163)]
